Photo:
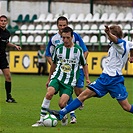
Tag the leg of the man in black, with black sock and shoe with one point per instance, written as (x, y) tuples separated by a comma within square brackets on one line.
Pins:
[(7, 76)]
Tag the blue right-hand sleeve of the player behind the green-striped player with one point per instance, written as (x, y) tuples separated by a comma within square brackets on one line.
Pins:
[(79, 41)]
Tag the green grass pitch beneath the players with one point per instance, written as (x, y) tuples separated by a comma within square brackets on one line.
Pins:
[(98, 116)]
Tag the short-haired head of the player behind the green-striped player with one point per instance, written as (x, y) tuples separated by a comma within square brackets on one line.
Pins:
[(62, 22)]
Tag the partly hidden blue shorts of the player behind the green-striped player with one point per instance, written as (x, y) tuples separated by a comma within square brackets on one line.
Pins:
[(80, 82)]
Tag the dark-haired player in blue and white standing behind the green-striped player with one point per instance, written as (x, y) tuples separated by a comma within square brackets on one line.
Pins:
[(62, 22)]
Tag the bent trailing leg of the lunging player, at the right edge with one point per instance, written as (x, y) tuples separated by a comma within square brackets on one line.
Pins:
[(126, 106)]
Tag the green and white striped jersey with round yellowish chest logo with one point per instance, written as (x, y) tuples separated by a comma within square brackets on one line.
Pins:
[(68, 61)]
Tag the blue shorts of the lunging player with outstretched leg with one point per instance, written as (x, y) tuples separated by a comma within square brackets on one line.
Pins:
[(112, 85)]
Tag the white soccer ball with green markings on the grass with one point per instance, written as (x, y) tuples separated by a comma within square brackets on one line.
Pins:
[(50, 120)]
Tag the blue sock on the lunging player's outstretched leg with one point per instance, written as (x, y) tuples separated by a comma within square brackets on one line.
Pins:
[(72, 106)]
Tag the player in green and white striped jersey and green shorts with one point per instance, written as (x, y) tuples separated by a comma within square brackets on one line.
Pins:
[(64, 72)]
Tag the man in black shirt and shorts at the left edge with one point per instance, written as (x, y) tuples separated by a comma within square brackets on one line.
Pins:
[(4, 66)]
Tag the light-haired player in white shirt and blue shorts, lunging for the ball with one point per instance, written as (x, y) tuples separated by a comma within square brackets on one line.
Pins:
[(111, 80)]
